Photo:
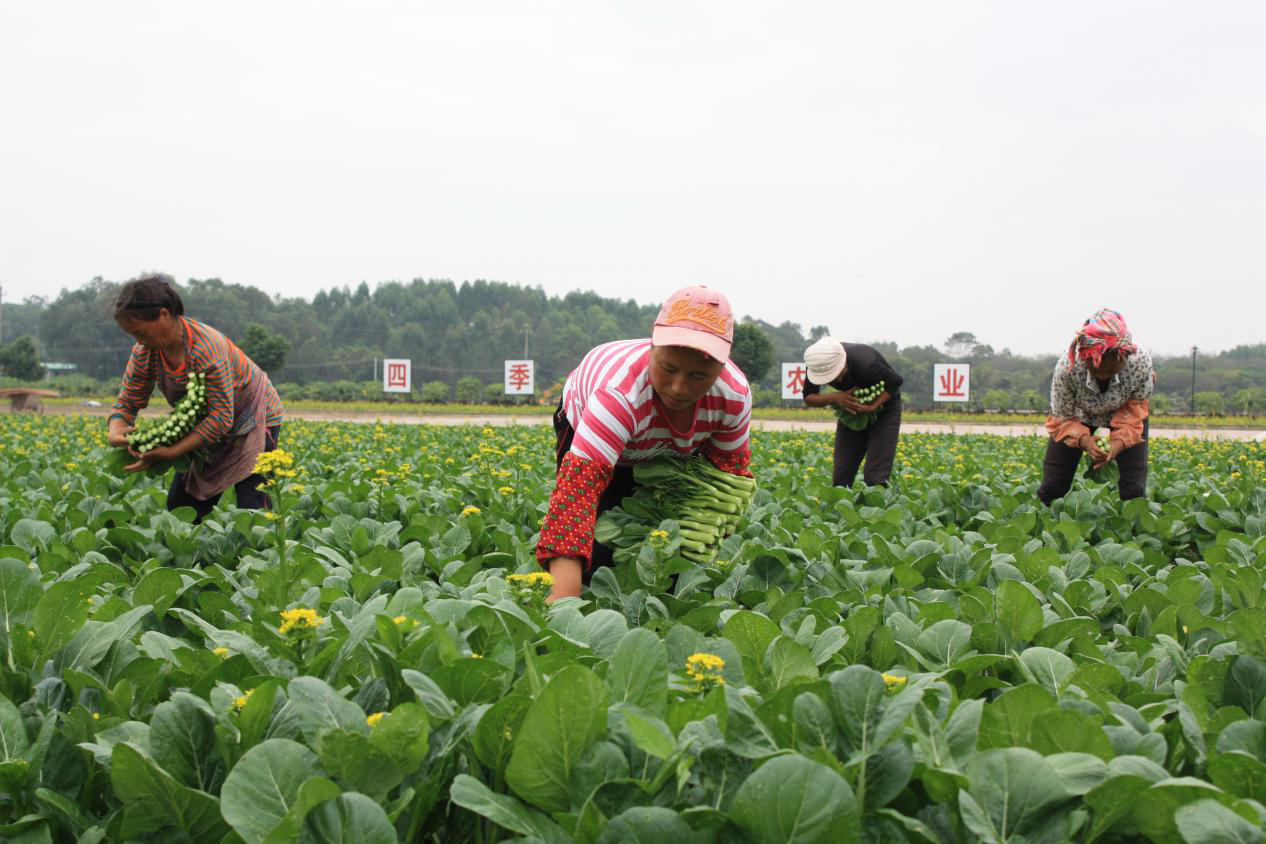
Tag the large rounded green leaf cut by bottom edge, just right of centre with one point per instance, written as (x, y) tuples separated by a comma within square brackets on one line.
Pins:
[(791, 800)]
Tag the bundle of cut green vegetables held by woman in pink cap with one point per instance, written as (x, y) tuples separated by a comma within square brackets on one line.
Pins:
[(706, 503)]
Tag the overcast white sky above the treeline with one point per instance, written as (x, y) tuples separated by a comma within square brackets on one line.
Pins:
[(893, 170)]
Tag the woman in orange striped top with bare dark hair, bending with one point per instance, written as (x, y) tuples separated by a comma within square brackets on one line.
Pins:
[(244, 414)]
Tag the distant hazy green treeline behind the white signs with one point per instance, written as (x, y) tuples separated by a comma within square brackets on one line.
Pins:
[(327, 346)]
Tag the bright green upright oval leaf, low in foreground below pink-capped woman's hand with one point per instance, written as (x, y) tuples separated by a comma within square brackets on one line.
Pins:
[(568, 717)]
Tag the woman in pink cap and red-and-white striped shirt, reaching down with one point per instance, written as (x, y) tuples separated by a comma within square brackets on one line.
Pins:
[(632, 400)]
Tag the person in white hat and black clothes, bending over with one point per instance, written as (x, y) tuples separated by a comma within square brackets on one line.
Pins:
[(856, 369)]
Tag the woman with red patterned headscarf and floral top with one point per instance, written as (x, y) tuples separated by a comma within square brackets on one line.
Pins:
[(1105, 382)]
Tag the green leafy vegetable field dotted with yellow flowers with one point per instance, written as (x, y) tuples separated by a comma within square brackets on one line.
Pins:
[(943, 661)]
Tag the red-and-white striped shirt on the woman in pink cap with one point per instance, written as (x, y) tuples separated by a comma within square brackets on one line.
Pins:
[(610, 403)]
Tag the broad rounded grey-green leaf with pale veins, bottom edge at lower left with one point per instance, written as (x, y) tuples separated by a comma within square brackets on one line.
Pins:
[(264, 786)]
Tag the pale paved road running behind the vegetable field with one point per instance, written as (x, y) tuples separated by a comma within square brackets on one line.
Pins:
[(759, 425)]
